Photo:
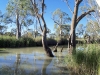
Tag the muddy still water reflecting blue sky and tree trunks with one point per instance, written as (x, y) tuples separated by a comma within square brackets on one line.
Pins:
[(31, 61)]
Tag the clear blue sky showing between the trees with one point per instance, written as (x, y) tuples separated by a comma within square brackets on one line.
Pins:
[(51, 6)]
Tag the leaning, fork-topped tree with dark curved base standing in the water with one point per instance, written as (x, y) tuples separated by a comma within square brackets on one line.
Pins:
[(39, 7)]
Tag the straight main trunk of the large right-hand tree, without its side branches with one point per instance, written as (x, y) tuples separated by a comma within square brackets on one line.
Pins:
[(72, 42)]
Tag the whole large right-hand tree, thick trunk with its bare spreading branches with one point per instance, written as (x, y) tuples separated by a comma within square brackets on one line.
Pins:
[(75, 21)]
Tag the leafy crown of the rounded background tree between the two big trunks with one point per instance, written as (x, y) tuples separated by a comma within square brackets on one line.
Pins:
[(61, 20)]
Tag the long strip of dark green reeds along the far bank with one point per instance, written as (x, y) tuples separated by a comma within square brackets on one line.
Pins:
[(11, 41)]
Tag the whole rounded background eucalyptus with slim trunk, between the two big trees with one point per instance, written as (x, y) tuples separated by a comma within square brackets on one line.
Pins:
[(60, 19)]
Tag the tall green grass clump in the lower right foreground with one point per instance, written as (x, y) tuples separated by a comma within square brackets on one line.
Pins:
[(85, 62)]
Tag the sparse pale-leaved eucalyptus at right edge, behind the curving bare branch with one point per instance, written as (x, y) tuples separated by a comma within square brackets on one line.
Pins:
[(93, 18)]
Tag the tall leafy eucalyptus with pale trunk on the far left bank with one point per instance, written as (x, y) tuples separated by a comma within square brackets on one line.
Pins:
[(17, 12)]
